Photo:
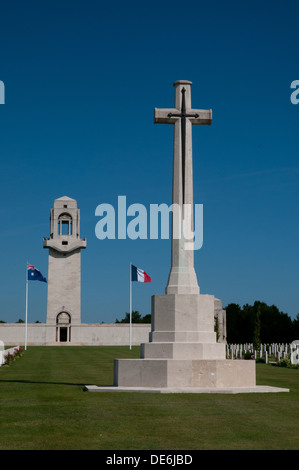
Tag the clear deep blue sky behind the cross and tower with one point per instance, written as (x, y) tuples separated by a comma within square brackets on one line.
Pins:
[(82, 80)]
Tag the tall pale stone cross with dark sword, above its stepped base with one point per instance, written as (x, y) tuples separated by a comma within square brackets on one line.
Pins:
[(182, 278)]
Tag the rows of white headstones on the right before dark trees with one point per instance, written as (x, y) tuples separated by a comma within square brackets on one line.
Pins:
[(278, 350)]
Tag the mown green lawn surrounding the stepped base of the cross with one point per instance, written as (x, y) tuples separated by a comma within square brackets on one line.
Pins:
[(43, 406)]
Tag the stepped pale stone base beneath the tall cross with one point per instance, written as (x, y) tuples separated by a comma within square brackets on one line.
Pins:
[(183, 355)]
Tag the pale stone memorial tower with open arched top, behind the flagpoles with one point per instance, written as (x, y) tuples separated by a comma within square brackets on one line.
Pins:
[(64, 269)]
